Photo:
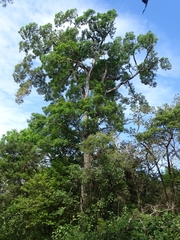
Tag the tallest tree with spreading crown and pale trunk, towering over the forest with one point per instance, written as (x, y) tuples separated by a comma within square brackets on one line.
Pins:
[(82, 66)]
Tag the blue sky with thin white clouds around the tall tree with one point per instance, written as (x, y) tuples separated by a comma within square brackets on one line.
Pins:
[(161, 17)]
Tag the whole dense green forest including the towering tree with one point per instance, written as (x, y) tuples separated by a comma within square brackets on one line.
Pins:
[(99, 162)]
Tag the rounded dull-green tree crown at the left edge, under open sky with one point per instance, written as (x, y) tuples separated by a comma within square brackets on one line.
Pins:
[(20, 160)]
